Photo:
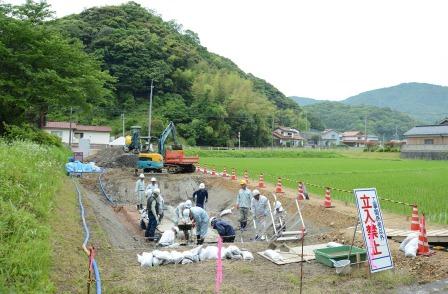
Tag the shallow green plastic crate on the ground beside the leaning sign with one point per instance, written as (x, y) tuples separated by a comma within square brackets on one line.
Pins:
[(338, 253)]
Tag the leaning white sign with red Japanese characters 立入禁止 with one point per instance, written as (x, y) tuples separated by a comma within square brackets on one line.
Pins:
[(373, 231)]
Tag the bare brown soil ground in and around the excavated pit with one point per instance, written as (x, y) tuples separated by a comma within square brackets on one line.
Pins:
[(118, 239)]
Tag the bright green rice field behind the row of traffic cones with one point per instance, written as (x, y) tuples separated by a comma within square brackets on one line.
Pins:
[(413, 181)]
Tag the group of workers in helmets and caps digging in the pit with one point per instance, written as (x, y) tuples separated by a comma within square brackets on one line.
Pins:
[(188, 216)]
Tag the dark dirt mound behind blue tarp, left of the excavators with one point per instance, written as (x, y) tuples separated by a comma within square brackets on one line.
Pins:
[(114, 157)]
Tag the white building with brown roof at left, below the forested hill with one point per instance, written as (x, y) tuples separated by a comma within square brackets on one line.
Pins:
[(97, 135)]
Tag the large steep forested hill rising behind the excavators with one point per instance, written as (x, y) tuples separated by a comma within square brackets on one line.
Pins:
[(207, 96)]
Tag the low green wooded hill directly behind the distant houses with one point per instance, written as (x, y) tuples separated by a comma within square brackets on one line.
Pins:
[(342, 117)]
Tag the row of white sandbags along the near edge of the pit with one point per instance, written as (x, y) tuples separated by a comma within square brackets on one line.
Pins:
[(158, 257)]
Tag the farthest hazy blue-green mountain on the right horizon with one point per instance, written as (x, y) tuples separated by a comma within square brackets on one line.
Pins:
[(425, 102)]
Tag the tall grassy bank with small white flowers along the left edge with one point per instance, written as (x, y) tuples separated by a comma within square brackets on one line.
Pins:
[(29, 176)]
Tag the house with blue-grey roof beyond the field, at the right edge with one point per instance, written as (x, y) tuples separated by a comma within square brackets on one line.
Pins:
[(427, 141)]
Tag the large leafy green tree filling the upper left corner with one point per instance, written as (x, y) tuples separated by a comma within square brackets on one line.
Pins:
[(42, 69)]
